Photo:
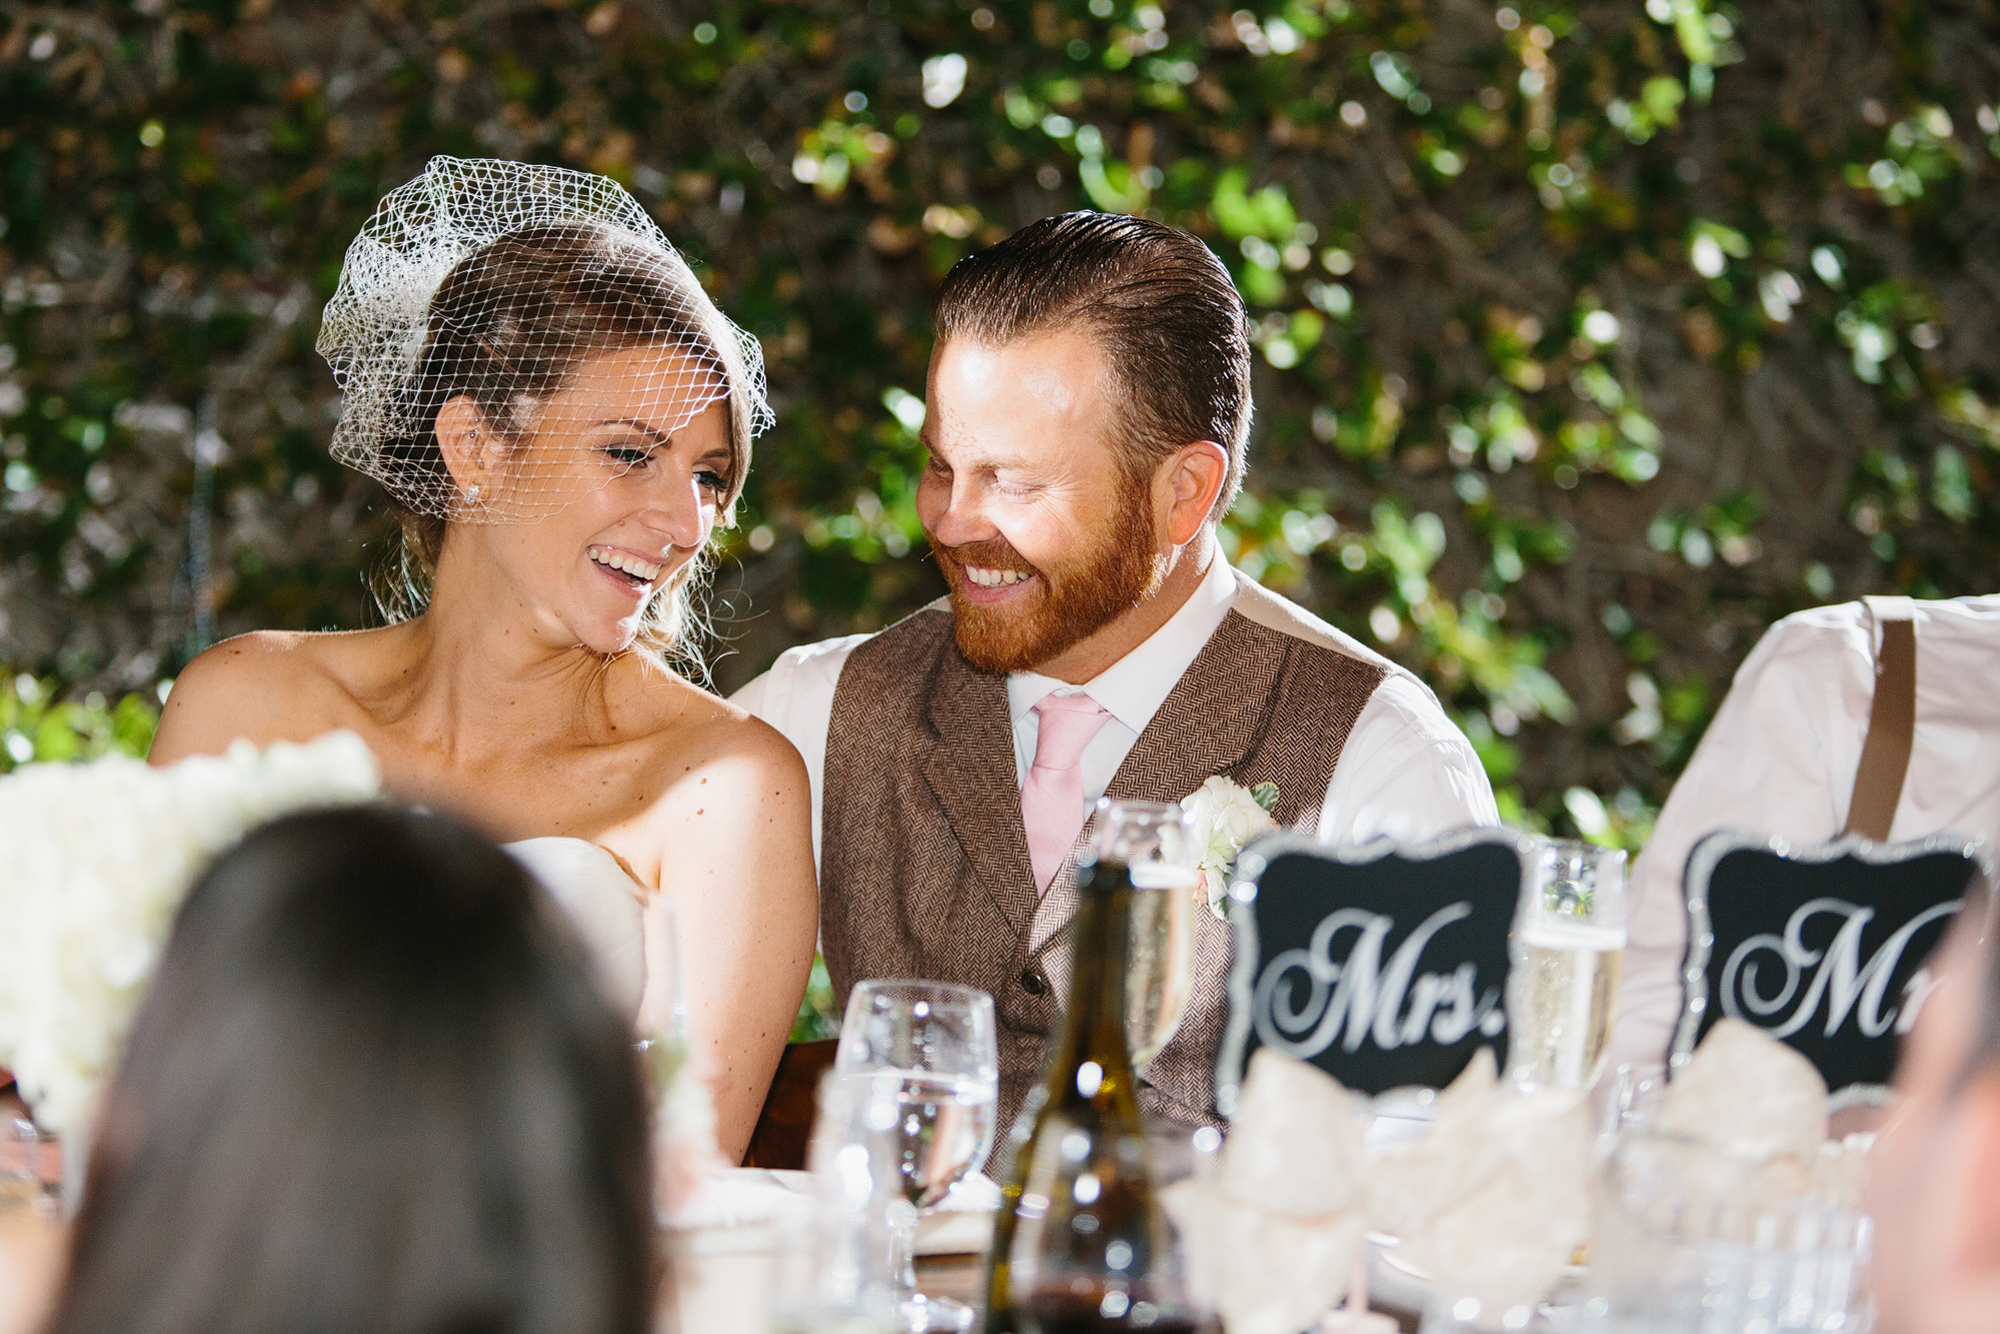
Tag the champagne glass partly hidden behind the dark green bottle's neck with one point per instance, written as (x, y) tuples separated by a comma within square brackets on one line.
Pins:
[(1157, 843)]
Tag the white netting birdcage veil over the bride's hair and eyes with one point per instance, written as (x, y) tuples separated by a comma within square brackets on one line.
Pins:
[(513, 339)]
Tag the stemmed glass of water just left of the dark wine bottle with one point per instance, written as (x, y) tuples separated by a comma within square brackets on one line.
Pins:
[(939, 1045)]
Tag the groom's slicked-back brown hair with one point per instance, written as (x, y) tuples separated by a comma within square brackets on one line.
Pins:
[(1157, 301)]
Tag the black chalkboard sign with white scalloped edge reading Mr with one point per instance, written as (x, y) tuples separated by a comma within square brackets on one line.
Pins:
[(1825, 947)]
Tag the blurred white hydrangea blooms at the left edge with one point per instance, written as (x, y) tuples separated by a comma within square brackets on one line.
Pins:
[(97, 863)]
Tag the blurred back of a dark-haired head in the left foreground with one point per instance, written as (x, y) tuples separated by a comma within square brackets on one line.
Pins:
[(373, 1089)]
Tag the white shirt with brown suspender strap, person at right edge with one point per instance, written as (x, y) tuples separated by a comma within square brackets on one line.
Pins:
[(1781, 761)]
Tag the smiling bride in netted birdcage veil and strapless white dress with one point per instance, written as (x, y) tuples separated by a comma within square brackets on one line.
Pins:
[(561, 419)]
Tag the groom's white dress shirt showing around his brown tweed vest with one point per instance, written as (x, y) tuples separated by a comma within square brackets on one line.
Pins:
[(1407, 769)]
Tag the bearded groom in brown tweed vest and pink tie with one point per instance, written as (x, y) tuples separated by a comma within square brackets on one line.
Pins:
[(1087, 419)]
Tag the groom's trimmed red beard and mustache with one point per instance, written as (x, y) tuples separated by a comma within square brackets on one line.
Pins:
[(1071, 601)]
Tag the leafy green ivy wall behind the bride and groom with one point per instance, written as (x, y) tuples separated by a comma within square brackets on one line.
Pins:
[(1593, 335)]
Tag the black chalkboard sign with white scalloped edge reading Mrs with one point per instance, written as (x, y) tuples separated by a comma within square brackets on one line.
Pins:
[(1381, 965)]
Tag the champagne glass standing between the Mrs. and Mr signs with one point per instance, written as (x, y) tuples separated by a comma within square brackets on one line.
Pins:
[(1563, 995)]
